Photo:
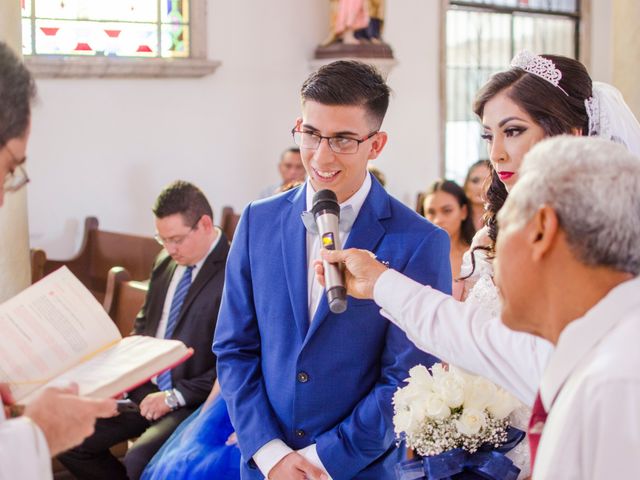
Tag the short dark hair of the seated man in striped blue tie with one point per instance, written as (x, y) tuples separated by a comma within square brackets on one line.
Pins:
[(183, 198)]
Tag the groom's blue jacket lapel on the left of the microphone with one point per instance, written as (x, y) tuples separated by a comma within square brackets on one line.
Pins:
[(294, 256)]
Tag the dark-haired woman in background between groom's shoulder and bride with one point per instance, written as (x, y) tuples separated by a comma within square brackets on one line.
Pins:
[(446, 205)]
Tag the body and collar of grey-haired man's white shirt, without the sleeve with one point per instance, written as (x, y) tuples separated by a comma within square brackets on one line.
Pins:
[(591, 389)]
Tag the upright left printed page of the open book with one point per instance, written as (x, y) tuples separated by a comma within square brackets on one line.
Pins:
[(49, 327)]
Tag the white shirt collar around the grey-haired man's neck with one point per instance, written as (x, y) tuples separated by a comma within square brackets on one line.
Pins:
[(579, 337)]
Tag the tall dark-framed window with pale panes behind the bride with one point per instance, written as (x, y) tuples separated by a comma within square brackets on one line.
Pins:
[(481, 38)]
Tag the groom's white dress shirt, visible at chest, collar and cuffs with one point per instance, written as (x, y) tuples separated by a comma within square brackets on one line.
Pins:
[(272, 452)]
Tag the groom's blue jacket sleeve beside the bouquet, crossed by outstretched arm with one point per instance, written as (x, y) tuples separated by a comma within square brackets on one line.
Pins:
[(368, 432)]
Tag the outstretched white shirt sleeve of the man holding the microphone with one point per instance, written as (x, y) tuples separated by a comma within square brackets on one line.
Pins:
[(464, 335)]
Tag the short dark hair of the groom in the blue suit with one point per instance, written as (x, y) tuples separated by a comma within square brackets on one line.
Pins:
[(347, 82)]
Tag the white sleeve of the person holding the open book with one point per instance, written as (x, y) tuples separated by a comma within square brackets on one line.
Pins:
[(24, 453)]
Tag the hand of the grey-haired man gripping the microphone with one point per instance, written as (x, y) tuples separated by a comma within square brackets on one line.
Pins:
[(362, 270)]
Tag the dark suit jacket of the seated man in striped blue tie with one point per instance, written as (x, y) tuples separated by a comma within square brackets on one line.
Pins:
[(196, 324)]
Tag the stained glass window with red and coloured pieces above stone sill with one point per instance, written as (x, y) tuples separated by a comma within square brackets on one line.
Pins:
[(113, 28)]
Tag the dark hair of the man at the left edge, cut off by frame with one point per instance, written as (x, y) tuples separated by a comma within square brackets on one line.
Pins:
[(17, 91)]
